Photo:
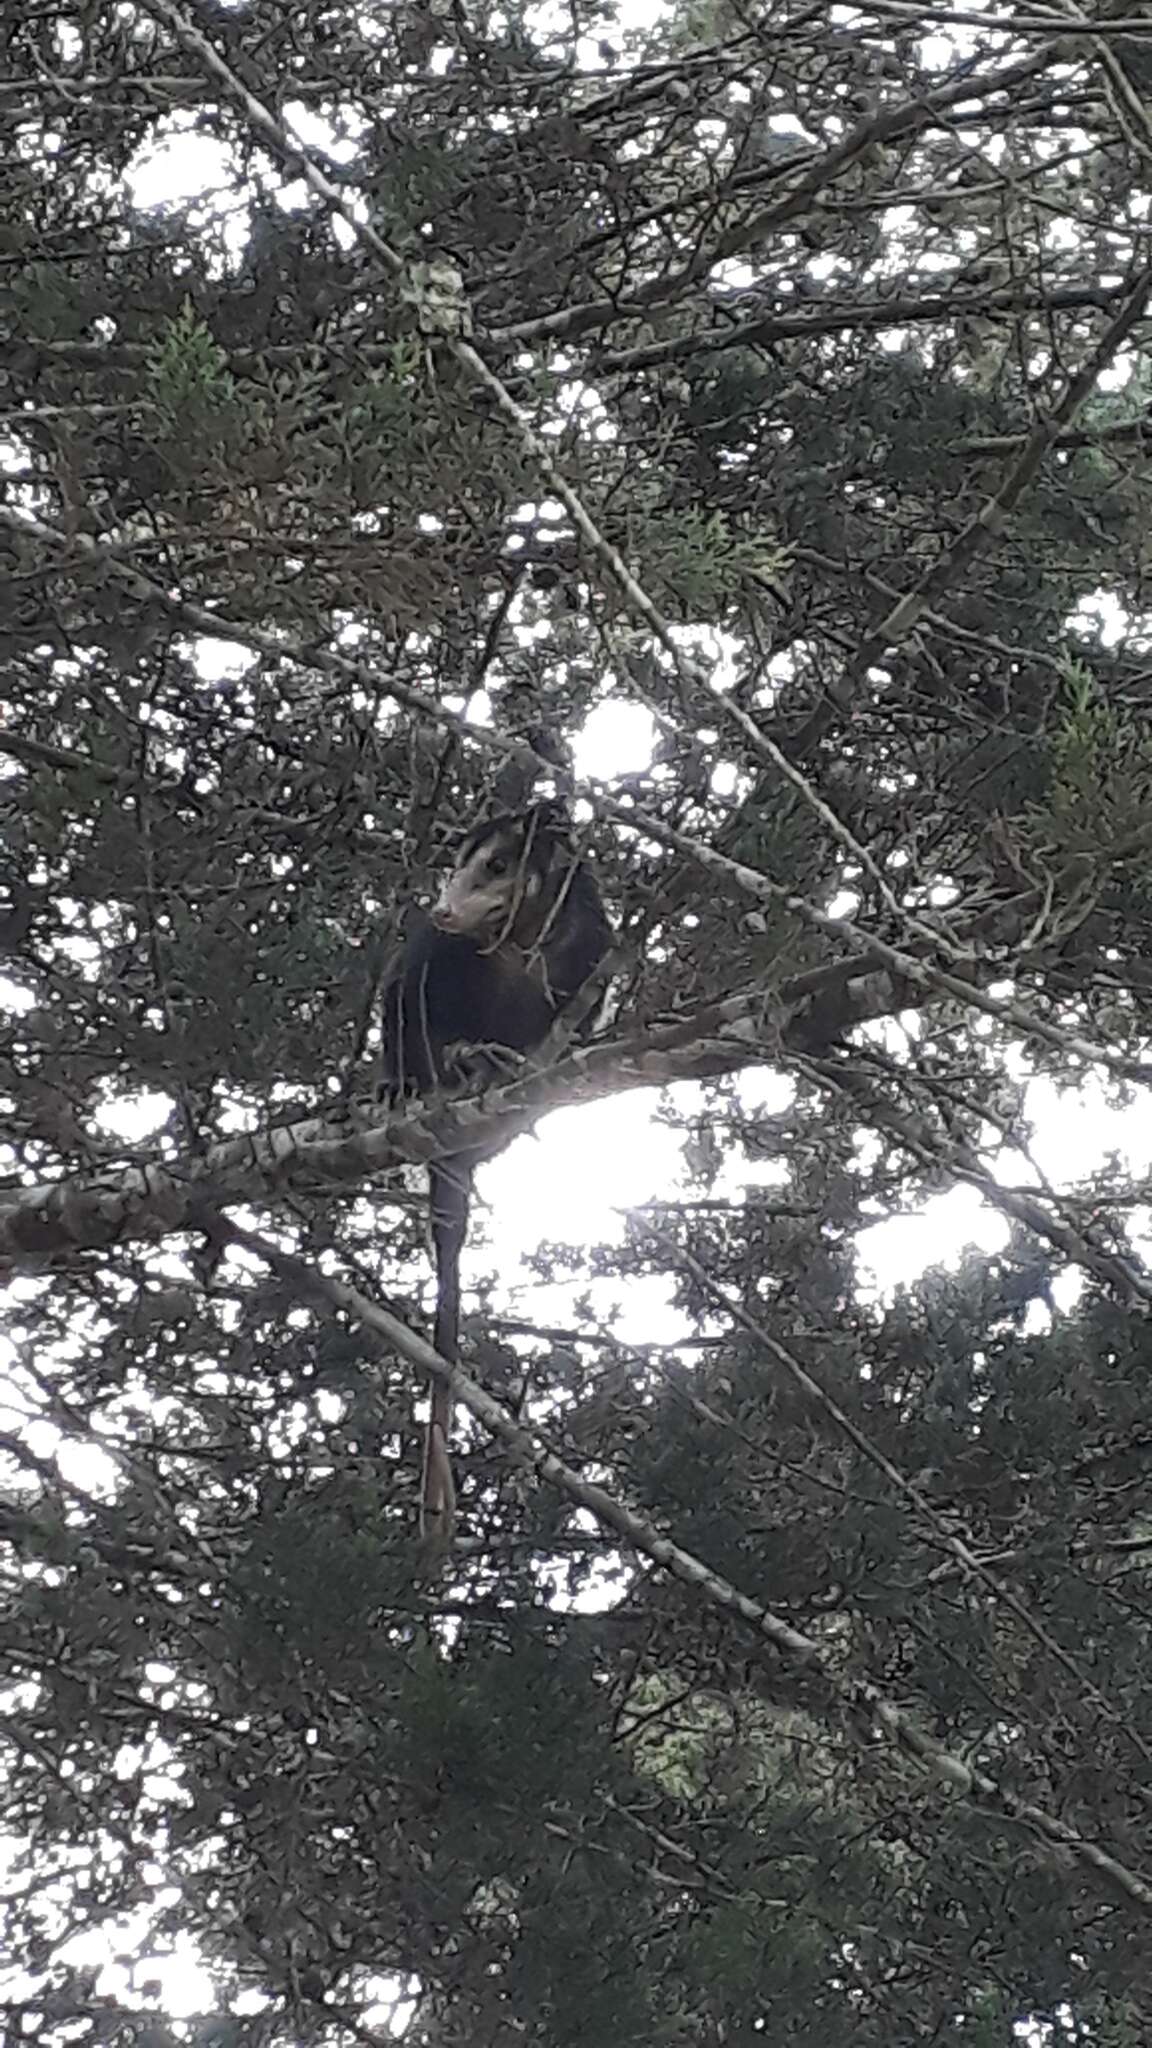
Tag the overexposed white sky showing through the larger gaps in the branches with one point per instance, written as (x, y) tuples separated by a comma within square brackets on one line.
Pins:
[(579, 1177)]
